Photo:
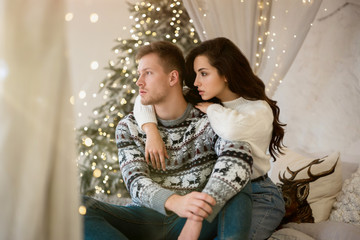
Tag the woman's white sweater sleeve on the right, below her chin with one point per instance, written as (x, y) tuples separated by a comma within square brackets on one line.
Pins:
[(244, 124)]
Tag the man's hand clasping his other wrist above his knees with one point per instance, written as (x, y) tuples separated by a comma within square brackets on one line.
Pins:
[(195, 205)]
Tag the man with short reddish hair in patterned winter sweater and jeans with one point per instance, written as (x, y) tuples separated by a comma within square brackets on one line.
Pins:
[(203, 171)]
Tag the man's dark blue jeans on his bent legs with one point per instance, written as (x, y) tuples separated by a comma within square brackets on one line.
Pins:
[(107, 221)]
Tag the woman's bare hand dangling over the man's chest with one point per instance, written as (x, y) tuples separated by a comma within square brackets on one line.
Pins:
[(155, 147)]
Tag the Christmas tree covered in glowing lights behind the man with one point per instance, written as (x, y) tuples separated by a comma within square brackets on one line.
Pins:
[(98, 162)]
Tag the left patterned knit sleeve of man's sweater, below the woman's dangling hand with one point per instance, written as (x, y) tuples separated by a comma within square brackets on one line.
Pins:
[(143, 190)]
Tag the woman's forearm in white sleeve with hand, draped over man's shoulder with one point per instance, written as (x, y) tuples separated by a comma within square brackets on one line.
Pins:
[(155, 150)]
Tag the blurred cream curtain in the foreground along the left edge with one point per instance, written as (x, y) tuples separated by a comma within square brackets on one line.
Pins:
[(38, 175)]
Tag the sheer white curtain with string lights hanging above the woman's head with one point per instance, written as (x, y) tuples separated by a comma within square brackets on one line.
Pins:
[(268, 32)]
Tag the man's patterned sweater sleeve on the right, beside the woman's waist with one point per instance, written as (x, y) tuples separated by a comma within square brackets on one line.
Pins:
[(230, 174)]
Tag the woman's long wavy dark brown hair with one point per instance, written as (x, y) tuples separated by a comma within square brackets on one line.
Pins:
[(229, 61)]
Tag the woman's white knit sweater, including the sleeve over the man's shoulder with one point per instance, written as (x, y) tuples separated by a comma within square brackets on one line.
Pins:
[(240, 119)]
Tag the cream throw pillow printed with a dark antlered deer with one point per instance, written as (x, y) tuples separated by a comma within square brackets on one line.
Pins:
[(309, 185)]
